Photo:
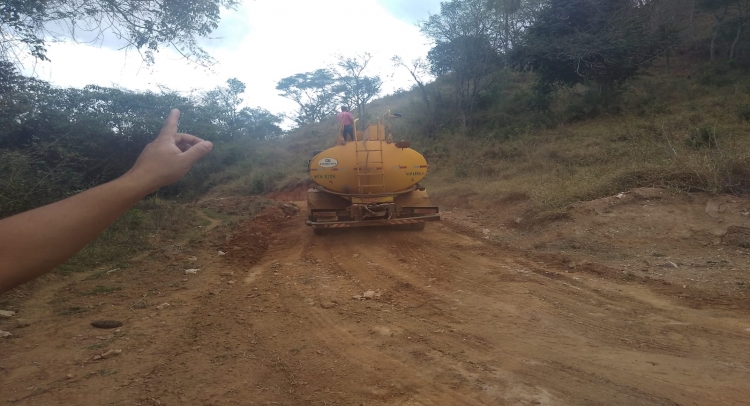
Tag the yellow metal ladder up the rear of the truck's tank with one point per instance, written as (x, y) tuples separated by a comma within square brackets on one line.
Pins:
[(369, 180)]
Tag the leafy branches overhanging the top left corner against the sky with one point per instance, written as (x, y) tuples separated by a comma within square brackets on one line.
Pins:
[(26, 26)]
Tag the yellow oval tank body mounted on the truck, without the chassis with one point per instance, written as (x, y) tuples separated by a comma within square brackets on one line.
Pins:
[(368, 167)]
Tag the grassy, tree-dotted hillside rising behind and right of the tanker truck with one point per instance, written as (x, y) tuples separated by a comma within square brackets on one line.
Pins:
[(683, 130)]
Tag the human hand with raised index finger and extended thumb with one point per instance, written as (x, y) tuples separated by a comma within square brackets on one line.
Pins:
[(169, 157)]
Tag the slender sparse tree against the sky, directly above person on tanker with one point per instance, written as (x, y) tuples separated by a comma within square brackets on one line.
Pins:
[(356, 88)]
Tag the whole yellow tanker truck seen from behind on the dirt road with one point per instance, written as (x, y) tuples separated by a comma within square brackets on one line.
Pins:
[(371, 181)]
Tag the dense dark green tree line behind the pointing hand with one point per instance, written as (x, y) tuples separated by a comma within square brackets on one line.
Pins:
[(55, 142)]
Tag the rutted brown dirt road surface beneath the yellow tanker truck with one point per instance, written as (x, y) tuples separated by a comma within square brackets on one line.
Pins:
[(448, 317)]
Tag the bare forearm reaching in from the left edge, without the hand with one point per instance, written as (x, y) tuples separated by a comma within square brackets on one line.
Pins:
[(36, 241)]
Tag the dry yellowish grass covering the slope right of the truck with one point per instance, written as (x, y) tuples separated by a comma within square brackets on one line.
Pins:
[(671, 131)]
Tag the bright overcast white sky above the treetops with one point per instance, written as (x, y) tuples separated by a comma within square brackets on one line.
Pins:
[(261, 42)]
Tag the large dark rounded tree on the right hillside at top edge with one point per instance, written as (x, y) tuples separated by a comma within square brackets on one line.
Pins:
[(577, 41)]
